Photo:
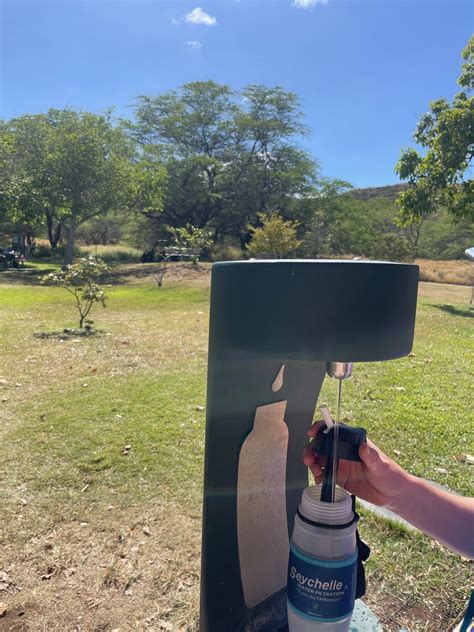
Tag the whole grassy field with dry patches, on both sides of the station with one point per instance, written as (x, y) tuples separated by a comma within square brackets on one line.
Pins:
[(98, 536)]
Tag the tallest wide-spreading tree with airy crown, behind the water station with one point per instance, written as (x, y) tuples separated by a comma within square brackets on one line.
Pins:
[(229, 155)]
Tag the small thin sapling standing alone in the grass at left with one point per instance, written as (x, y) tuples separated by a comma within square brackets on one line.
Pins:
[(82, 280)]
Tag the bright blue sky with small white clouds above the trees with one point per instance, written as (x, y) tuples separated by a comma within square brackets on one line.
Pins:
[(364, 69)]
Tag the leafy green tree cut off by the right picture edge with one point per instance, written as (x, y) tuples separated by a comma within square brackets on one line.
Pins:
[(440, 178)]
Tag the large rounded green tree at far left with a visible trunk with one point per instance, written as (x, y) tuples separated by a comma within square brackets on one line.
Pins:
[(67, 167)]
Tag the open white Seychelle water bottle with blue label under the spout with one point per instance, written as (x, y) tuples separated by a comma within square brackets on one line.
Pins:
[(323, 564)]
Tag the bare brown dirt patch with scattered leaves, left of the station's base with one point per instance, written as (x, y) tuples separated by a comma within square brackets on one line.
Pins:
[(143, 574)]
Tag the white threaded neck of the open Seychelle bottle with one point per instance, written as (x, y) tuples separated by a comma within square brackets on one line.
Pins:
[(338, 512)]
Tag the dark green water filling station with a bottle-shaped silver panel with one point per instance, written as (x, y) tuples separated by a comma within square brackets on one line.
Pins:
[(276, 329)]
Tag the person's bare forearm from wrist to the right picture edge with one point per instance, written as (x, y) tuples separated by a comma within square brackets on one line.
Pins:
[(444, 516)]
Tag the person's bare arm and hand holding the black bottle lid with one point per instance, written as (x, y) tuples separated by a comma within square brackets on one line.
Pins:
[(446, 517)]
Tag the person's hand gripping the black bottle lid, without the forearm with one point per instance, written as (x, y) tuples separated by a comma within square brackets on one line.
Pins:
[(376, 478)]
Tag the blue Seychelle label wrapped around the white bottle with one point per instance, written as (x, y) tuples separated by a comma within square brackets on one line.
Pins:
[(321, 590)]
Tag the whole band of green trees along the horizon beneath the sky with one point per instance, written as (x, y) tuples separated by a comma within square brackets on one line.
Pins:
[(206, 162)]
